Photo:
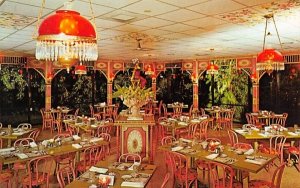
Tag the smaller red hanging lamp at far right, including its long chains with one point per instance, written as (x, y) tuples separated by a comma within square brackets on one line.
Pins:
[(270, 59)]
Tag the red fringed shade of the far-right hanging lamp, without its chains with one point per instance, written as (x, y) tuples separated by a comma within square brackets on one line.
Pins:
[(269, 60)]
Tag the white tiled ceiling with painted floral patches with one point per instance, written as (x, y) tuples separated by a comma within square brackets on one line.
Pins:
[(169, 29)]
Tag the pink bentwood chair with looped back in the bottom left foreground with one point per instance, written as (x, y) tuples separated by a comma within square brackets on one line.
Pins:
[(38, 172)]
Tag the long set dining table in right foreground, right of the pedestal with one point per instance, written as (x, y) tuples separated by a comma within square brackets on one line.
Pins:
[(251, 161)]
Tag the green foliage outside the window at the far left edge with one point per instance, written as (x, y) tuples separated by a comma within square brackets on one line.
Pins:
[(13, 81)]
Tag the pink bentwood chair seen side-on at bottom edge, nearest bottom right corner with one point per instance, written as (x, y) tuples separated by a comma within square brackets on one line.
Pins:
[(275, 181)]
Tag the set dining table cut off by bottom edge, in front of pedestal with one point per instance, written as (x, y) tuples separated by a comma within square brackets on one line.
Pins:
[(120, 174)]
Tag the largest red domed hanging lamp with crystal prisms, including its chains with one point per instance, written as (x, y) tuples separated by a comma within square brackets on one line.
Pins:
[(66, 37)]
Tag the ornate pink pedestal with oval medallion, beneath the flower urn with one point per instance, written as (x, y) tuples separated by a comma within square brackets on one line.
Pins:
[(135, 136)]
